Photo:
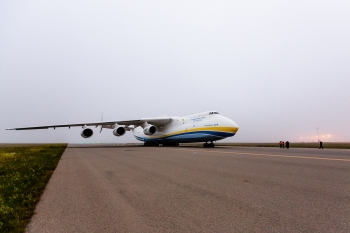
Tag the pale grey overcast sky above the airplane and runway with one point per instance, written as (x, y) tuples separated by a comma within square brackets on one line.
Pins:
[(279, 69)]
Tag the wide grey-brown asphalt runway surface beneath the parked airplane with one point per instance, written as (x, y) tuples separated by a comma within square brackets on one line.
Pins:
[(189, 189)]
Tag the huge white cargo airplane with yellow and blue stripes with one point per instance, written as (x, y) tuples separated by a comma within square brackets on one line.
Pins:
[(206, 127)]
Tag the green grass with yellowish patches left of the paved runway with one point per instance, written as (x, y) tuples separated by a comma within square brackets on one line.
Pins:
[(24, 173)]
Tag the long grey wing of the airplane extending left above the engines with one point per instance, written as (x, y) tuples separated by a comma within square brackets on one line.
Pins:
[(158, 121)]
